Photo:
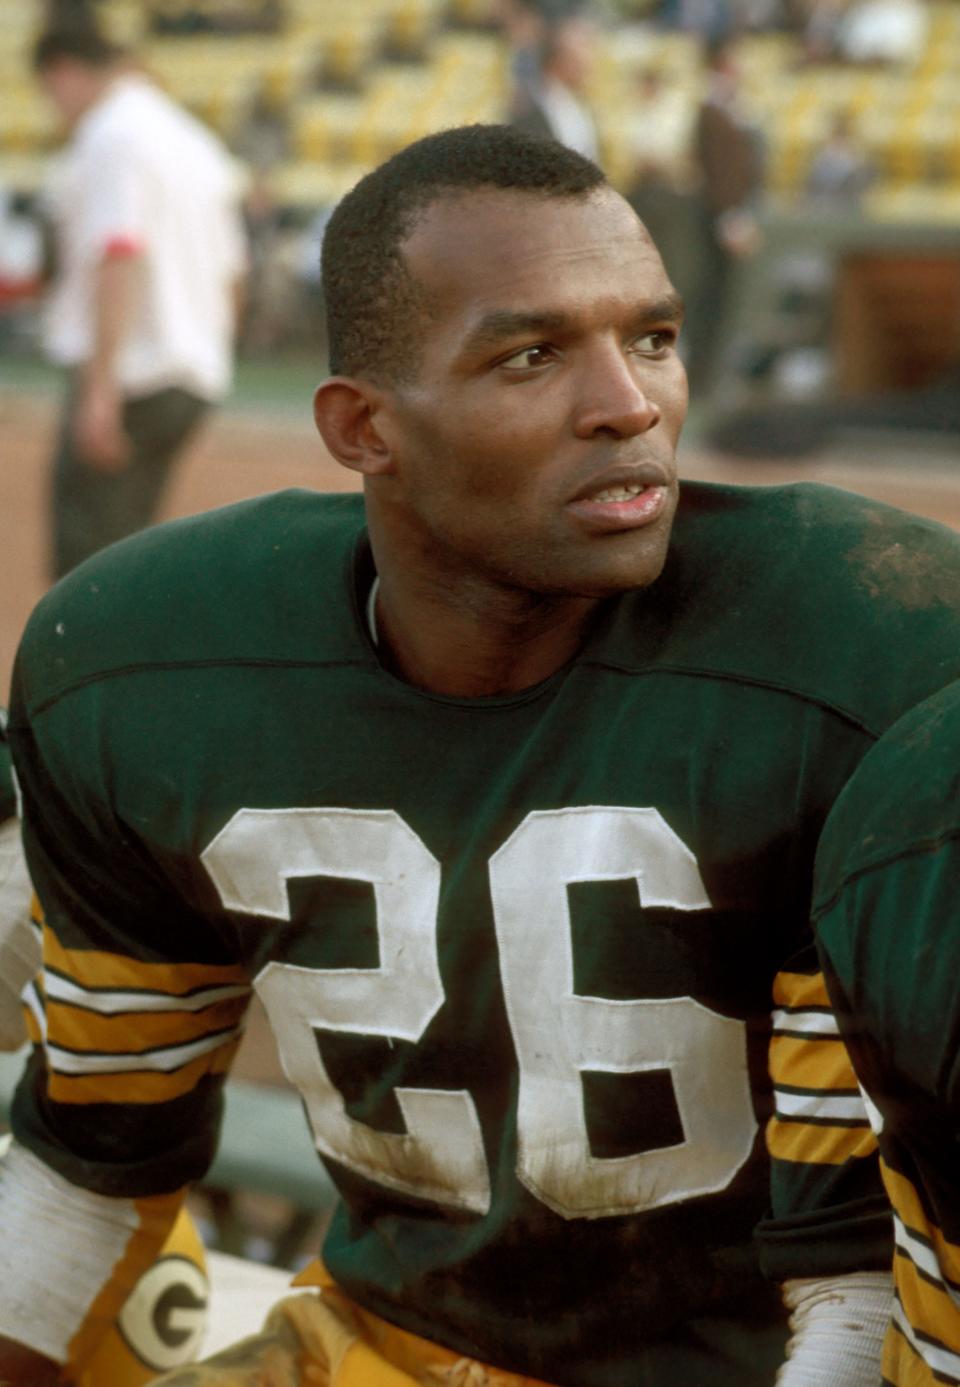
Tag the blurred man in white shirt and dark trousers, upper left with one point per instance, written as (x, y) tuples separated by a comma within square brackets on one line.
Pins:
[(151, 259)]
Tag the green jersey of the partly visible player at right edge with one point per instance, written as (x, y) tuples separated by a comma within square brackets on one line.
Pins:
[(887, 913)]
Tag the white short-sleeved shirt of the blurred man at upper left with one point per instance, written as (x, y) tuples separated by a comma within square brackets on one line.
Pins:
[(142, 173)]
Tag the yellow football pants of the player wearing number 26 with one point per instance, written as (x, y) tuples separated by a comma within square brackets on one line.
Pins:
[(323, 1339)]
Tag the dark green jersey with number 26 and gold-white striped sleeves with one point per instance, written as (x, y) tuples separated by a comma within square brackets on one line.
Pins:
[(518, 952)]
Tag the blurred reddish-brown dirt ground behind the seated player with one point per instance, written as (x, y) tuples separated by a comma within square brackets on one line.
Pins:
[(242, 454)]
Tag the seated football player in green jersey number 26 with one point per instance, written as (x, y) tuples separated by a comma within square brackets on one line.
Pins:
[(502, 787)]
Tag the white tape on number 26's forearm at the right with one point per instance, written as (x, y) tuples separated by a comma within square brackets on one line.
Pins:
[(837, 1331)]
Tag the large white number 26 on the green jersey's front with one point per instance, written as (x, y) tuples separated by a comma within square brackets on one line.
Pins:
[(557, 1033)]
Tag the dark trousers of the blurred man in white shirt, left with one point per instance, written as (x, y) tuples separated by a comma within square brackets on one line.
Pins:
[(92, 508)]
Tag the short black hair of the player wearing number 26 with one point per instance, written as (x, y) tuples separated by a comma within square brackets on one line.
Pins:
[(372, 302)]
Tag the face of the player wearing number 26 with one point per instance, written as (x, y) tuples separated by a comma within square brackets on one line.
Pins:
[(536, 449)]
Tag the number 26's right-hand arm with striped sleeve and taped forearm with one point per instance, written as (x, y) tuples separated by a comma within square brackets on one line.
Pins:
[(830, 1238)]
